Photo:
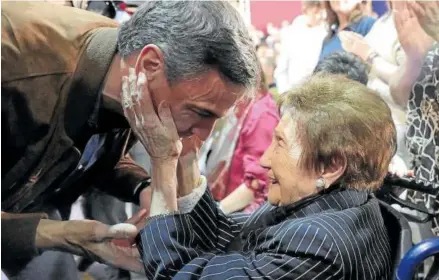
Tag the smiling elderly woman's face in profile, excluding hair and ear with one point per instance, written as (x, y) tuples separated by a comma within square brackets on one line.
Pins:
[(288, 182)]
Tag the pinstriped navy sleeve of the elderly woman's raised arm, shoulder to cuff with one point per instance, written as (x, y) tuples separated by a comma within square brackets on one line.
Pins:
[(190, 246)]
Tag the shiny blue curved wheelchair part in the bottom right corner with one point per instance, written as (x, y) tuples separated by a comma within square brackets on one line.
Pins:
[(415, 256)]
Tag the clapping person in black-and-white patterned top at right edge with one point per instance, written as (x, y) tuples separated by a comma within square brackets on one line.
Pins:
[(416, 85)]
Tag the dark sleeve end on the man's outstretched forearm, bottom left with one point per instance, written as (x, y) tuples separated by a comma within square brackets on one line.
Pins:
[(18, 240)]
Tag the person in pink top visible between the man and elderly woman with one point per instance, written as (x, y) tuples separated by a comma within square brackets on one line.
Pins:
[(235, 177)]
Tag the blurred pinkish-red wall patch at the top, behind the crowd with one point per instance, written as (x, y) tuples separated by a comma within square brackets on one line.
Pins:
[(263, 12)]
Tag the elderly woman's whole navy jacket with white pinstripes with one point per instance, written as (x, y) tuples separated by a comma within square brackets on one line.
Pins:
[(338, 235)]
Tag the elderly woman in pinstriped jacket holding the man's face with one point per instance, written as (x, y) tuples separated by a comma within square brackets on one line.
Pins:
[(329, 152)]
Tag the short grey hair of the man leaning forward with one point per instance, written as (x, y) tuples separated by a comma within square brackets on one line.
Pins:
[(194, 36)]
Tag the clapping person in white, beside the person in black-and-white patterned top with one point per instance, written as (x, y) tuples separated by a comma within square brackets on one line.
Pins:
[(382, 50)]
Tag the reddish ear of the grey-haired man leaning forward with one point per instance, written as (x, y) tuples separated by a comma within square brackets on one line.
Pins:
[(150, 61)]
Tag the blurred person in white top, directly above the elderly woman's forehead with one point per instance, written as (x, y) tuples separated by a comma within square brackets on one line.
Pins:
[(301, 46)]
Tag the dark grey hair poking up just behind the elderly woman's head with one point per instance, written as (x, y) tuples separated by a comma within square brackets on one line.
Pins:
[(346, 64)]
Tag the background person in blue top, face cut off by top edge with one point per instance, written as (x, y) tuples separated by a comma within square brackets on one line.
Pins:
[(343, 15)]
